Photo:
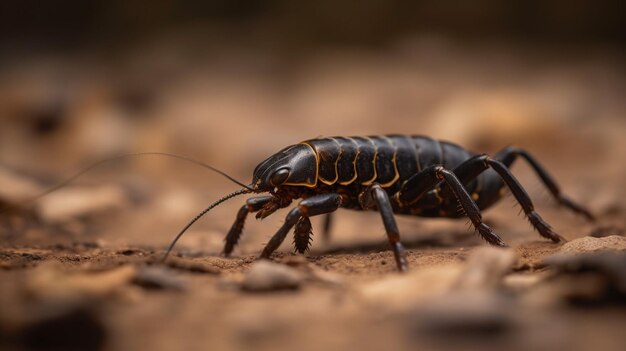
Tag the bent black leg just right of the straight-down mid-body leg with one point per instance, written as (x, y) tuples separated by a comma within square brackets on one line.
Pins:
[(416, 186)]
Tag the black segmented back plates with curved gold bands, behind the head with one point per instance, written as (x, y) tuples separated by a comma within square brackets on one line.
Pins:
[(387, 160)]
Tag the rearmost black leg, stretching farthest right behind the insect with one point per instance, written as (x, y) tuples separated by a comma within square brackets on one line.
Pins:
[(510, 154)]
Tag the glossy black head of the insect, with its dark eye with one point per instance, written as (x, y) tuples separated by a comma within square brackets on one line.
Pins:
[(295, 165)]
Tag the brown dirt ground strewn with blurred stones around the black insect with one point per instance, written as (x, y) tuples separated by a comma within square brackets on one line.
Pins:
[(80, 269)]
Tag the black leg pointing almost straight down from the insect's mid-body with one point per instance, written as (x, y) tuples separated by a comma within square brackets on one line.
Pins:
[(375, 195)]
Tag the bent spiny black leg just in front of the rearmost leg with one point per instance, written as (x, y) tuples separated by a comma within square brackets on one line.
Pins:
[(478, 164)]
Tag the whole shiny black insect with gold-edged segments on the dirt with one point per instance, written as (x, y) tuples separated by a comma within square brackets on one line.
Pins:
[(411, 175)]
